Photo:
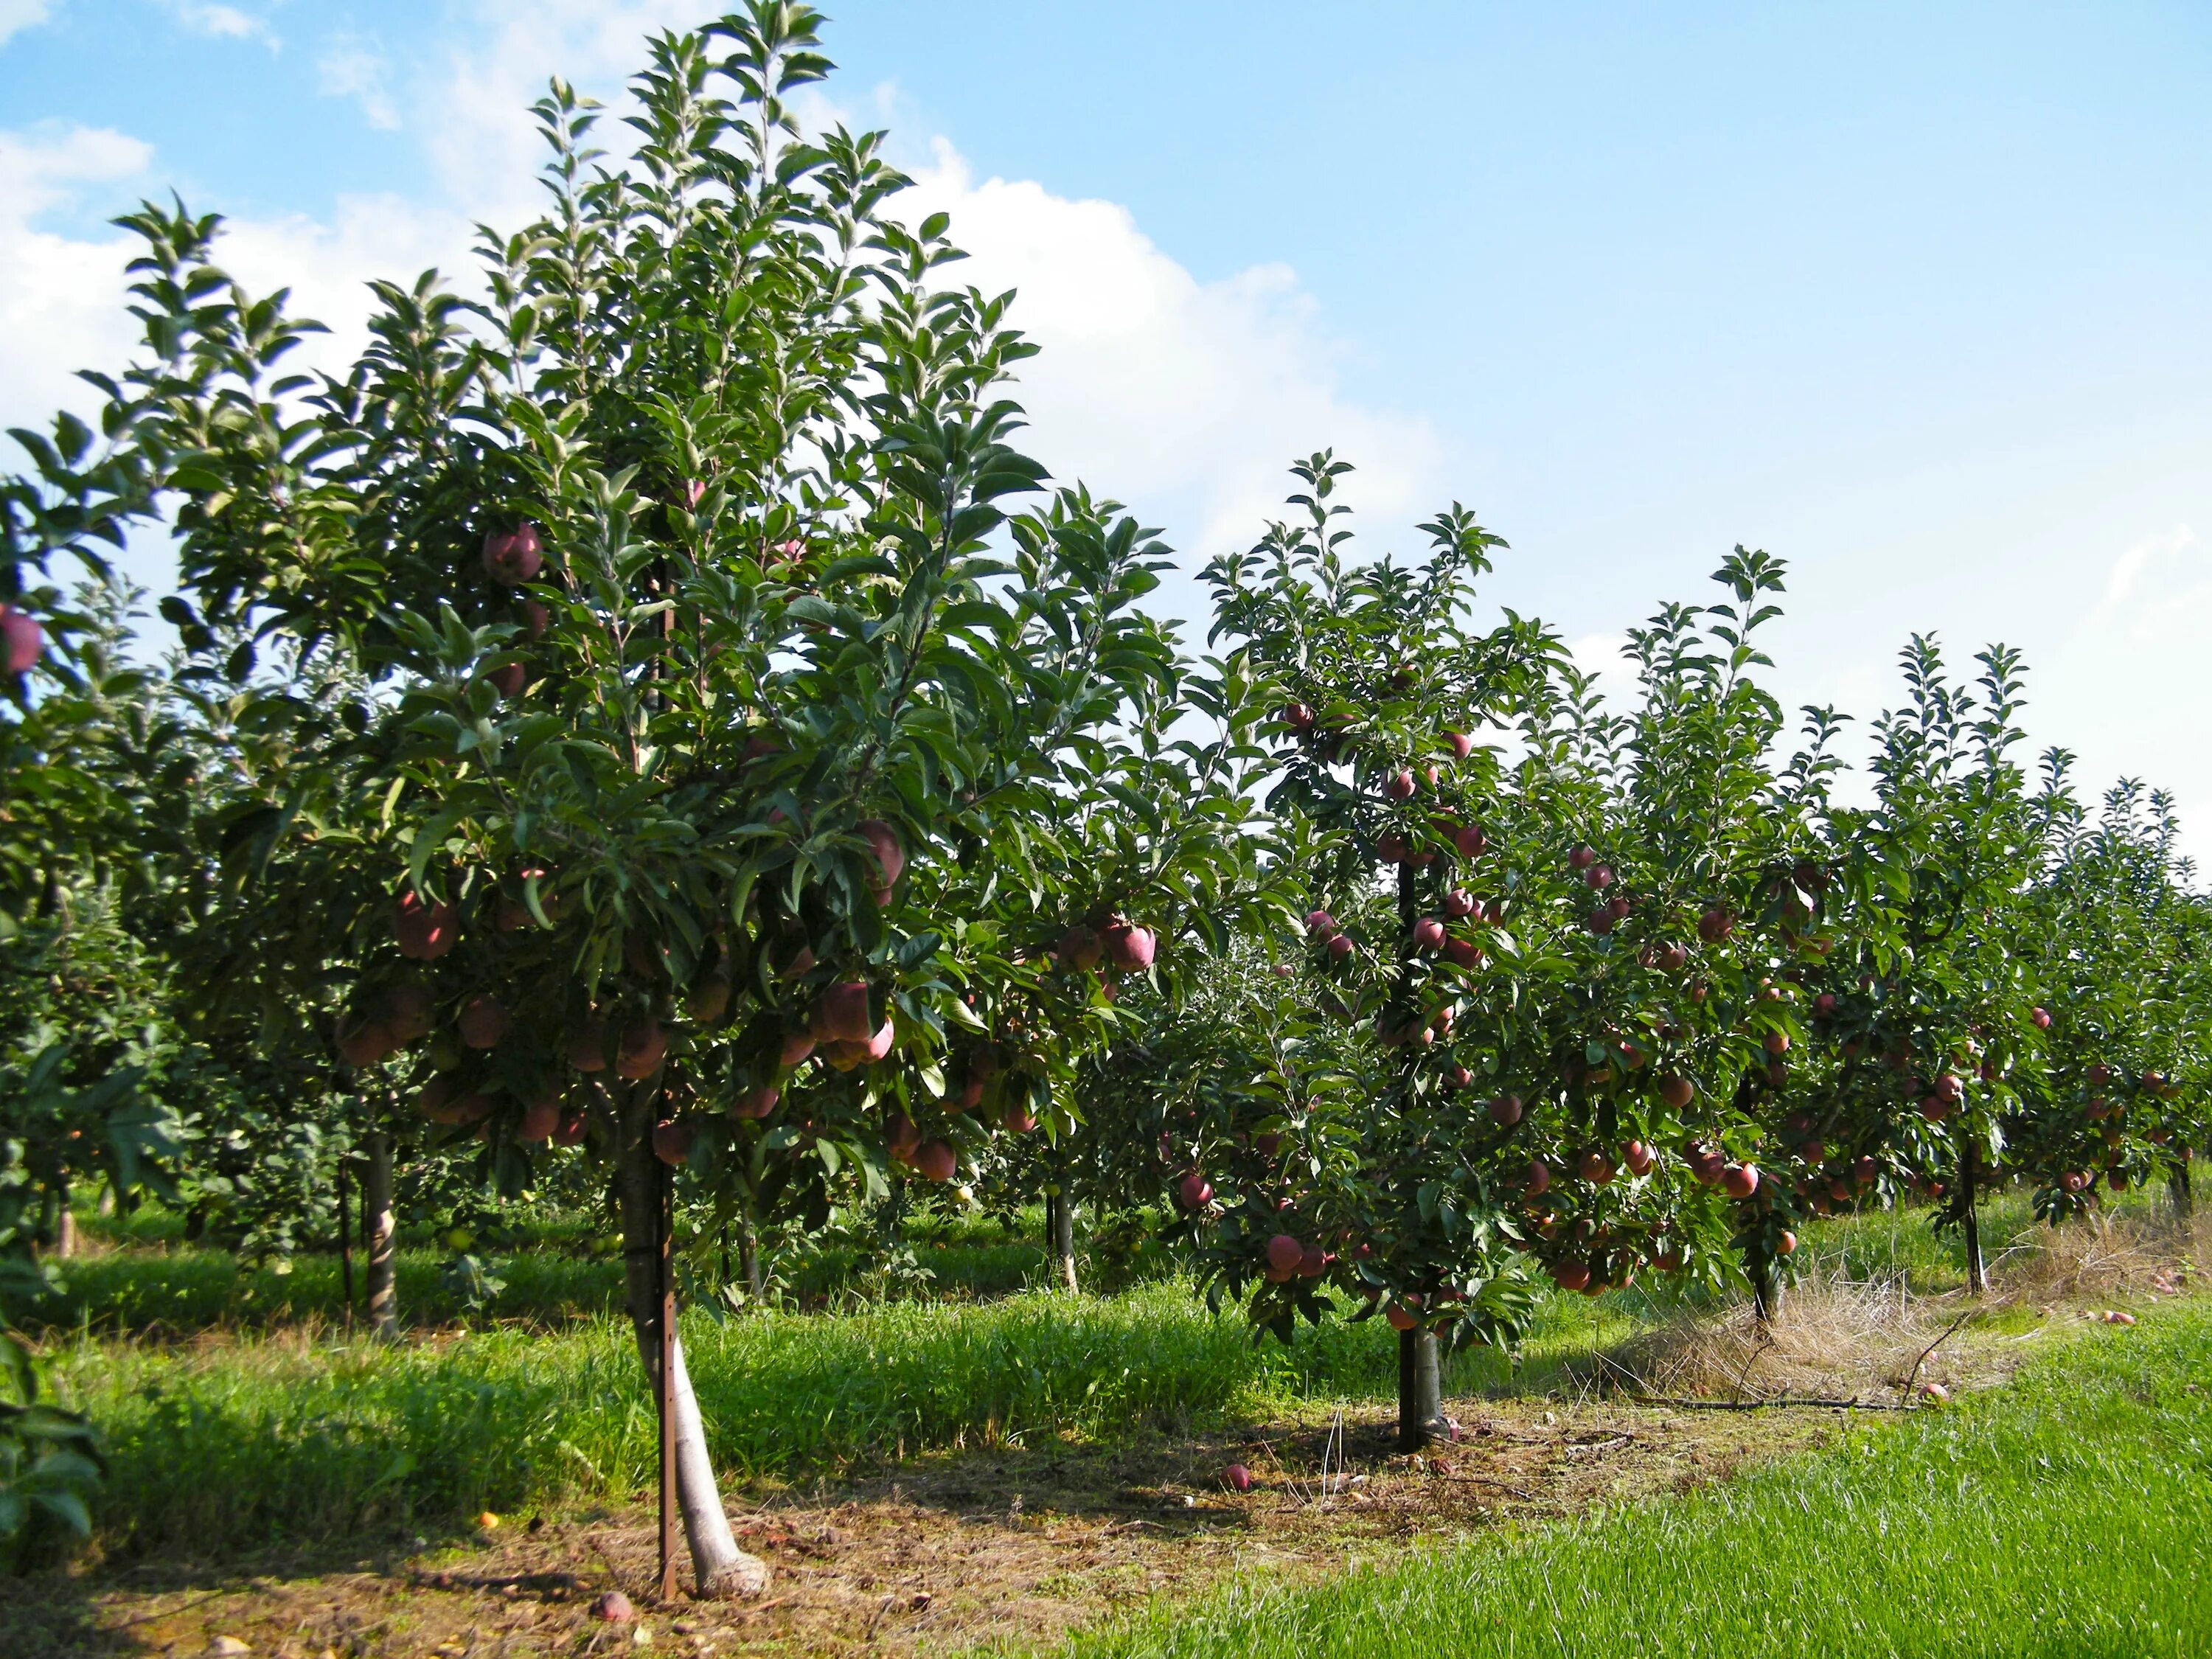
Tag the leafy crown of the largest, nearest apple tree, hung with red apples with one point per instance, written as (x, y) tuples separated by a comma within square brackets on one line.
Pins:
[(682, 744)]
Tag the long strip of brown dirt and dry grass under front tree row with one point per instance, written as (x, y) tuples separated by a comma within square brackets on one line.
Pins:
[(1016, 1545)]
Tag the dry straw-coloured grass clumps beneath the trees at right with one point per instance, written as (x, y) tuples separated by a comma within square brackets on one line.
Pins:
[(1875, 1339)]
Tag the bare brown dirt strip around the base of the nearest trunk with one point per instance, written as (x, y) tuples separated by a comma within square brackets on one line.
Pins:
[(946, 1554)]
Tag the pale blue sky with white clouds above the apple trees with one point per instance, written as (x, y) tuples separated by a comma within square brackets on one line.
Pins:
[(1910, 295)]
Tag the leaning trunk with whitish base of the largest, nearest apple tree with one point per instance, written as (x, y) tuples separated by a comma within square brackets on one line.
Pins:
[(720, 1567)]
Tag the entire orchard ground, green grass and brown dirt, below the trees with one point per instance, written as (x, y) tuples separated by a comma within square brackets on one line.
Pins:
[(1072, 1448)]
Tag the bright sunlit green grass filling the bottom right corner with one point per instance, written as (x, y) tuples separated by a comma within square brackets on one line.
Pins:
[(2067, 1514)]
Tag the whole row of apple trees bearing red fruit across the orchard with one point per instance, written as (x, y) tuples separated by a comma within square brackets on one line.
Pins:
[(651, 718)]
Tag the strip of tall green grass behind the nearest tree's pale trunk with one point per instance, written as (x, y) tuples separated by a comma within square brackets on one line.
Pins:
[(269, 1439)]
